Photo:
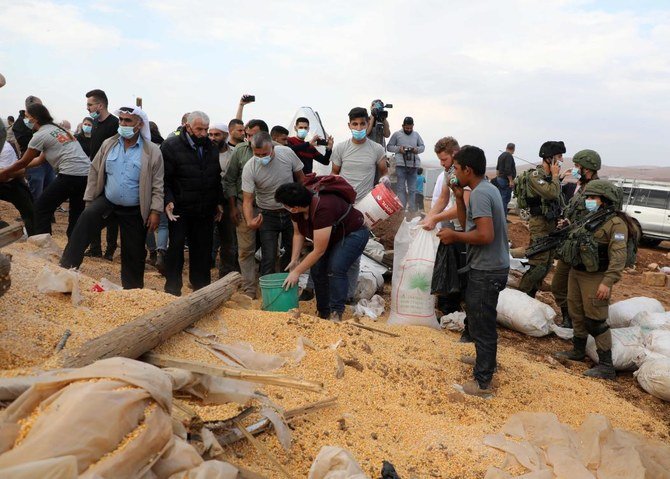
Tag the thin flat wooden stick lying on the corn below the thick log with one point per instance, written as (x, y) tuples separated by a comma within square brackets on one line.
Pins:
[(234, 373)]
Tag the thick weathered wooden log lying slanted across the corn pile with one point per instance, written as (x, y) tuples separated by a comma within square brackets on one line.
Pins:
[(133, 339)]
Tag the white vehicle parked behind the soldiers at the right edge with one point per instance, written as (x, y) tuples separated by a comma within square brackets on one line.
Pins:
[(648, 203)]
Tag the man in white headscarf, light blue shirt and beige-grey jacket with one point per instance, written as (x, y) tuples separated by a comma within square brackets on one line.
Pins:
[(125, 181)]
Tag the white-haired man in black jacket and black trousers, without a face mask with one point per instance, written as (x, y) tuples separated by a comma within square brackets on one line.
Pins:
[(193, 196)]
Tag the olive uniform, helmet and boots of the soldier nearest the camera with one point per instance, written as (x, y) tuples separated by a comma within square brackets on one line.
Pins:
[(589, 314)]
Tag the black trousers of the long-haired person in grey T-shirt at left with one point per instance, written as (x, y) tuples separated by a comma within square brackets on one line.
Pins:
[(64, 187)]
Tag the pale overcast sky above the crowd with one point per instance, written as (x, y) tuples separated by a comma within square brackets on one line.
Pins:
[(595, 74)]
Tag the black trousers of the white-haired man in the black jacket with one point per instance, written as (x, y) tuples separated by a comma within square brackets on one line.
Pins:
[(199, 230)]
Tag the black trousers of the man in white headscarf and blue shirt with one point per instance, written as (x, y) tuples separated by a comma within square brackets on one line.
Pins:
[(133, 234)]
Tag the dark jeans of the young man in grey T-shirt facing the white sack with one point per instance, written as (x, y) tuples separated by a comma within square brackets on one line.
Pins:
[(481, 300)]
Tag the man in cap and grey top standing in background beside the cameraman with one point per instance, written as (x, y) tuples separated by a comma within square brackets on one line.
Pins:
[(406, 144)]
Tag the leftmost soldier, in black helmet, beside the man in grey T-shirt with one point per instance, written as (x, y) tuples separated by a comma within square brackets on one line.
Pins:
[(541, 191)]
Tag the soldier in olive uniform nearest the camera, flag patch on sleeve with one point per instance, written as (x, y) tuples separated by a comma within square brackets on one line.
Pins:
[(600, 262)]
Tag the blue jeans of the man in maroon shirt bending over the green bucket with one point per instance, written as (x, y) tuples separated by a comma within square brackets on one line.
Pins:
[(330, 272)]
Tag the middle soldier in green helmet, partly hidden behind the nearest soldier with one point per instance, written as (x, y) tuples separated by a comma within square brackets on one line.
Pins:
[(587, 163)]
